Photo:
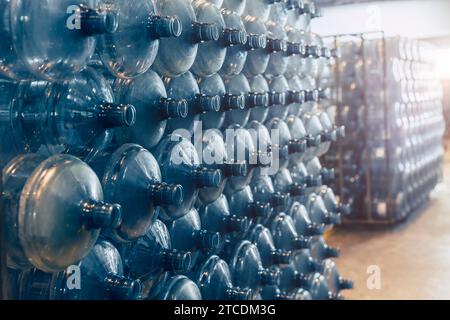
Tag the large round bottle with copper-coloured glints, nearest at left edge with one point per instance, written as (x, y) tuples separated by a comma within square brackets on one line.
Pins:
[(54, 211)]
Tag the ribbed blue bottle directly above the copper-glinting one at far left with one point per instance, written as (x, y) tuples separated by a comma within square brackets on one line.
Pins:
[(77, 116)]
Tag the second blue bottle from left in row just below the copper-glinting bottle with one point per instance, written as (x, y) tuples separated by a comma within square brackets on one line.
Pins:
[(151, 258)]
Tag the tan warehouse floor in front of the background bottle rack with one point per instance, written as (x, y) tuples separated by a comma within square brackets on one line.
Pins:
[(414, 258)]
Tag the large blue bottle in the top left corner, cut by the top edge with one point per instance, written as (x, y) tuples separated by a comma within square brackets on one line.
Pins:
[(50, 40)]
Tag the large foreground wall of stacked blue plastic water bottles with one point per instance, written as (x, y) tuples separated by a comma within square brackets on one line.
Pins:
[(166, 149)]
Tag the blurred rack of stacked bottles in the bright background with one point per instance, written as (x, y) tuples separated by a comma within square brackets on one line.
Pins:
[(390, 100)]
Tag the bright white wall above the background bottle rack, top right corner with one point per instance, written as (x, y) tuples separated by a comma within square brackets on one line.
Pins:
[(408, 18)]
